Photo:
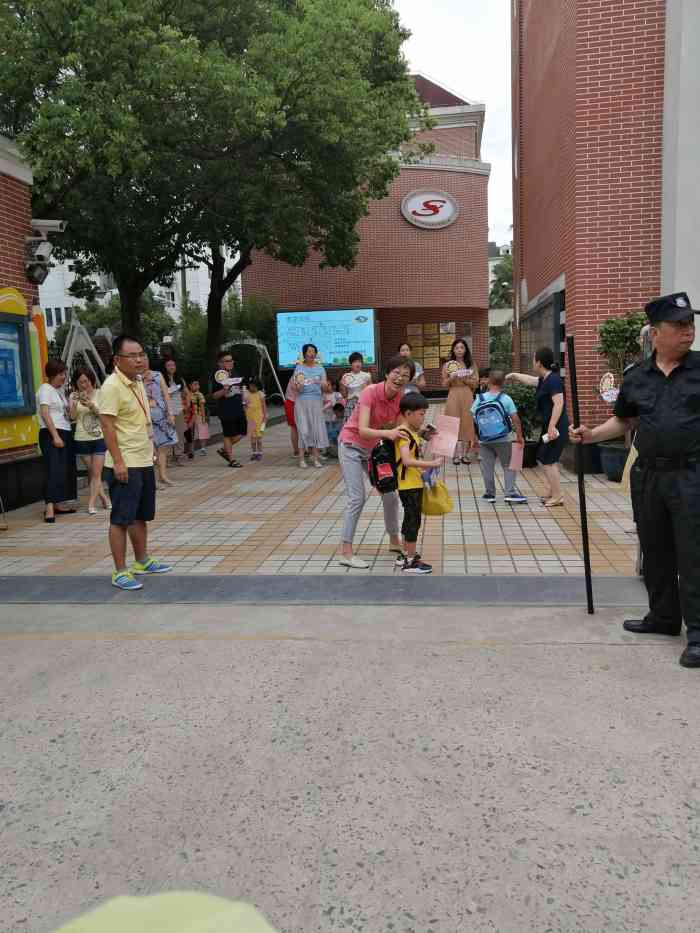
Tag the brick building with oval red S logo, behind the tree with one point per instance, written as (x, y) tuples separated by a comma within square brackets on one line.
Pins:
[(415, 277)]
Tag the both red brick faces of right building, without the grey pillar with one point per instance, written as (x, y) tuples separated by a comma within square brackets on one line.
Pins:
[(588, 81)]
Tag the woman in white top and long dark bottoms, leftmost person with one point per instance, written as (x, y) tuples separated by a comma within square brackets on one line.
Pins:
[(56, 443)]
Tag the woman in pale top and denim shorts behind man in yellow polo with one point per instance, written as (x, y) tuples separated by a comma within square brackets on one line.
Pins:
[(88, 440)]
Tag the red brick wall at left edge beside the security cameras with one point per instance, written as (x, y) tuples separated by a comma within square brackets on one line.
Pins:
[(16, 213)]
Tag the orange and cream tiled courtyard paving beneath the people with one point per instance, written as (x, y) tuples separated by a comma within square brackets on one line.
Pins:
[(273, 518)]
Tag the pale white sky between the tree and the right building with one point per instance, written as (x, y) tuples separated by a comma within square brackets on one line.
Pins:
[(465, 44)]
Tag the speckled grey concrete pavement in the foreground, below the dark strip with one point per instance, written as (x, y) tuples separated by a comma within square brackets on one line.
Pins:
[(361, 768)]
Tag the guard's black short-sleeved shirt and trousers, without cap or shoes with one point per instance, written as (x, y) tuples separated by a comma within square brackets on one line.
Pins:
[(665, 485)]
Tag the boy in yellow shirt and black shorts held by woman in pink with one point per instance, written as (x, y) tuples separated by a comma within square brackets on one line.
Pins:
[(410, 479)]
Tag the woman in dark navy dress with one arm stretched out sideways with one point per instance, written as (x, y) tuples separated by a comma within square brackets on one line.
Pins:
[(555, 421)]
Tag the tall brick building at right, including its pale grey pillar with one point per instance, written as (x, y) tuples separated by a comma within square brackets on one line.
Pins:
[(605, 134)]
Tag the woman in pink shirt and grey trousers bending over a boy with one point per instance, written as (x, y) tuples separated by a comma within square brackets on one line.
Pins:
[(373, 419)]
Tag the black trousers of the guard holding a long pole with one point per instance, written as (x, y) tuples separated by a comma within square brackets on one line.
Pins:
[(667, 512)]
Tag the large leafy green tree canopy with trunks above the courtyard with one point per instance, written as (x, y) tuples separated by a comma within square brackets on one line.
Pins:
[(159, 128)]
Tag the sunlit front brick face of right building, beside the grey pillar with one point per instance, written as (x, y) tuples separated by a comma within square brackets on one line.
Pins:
[(620, 53)]
